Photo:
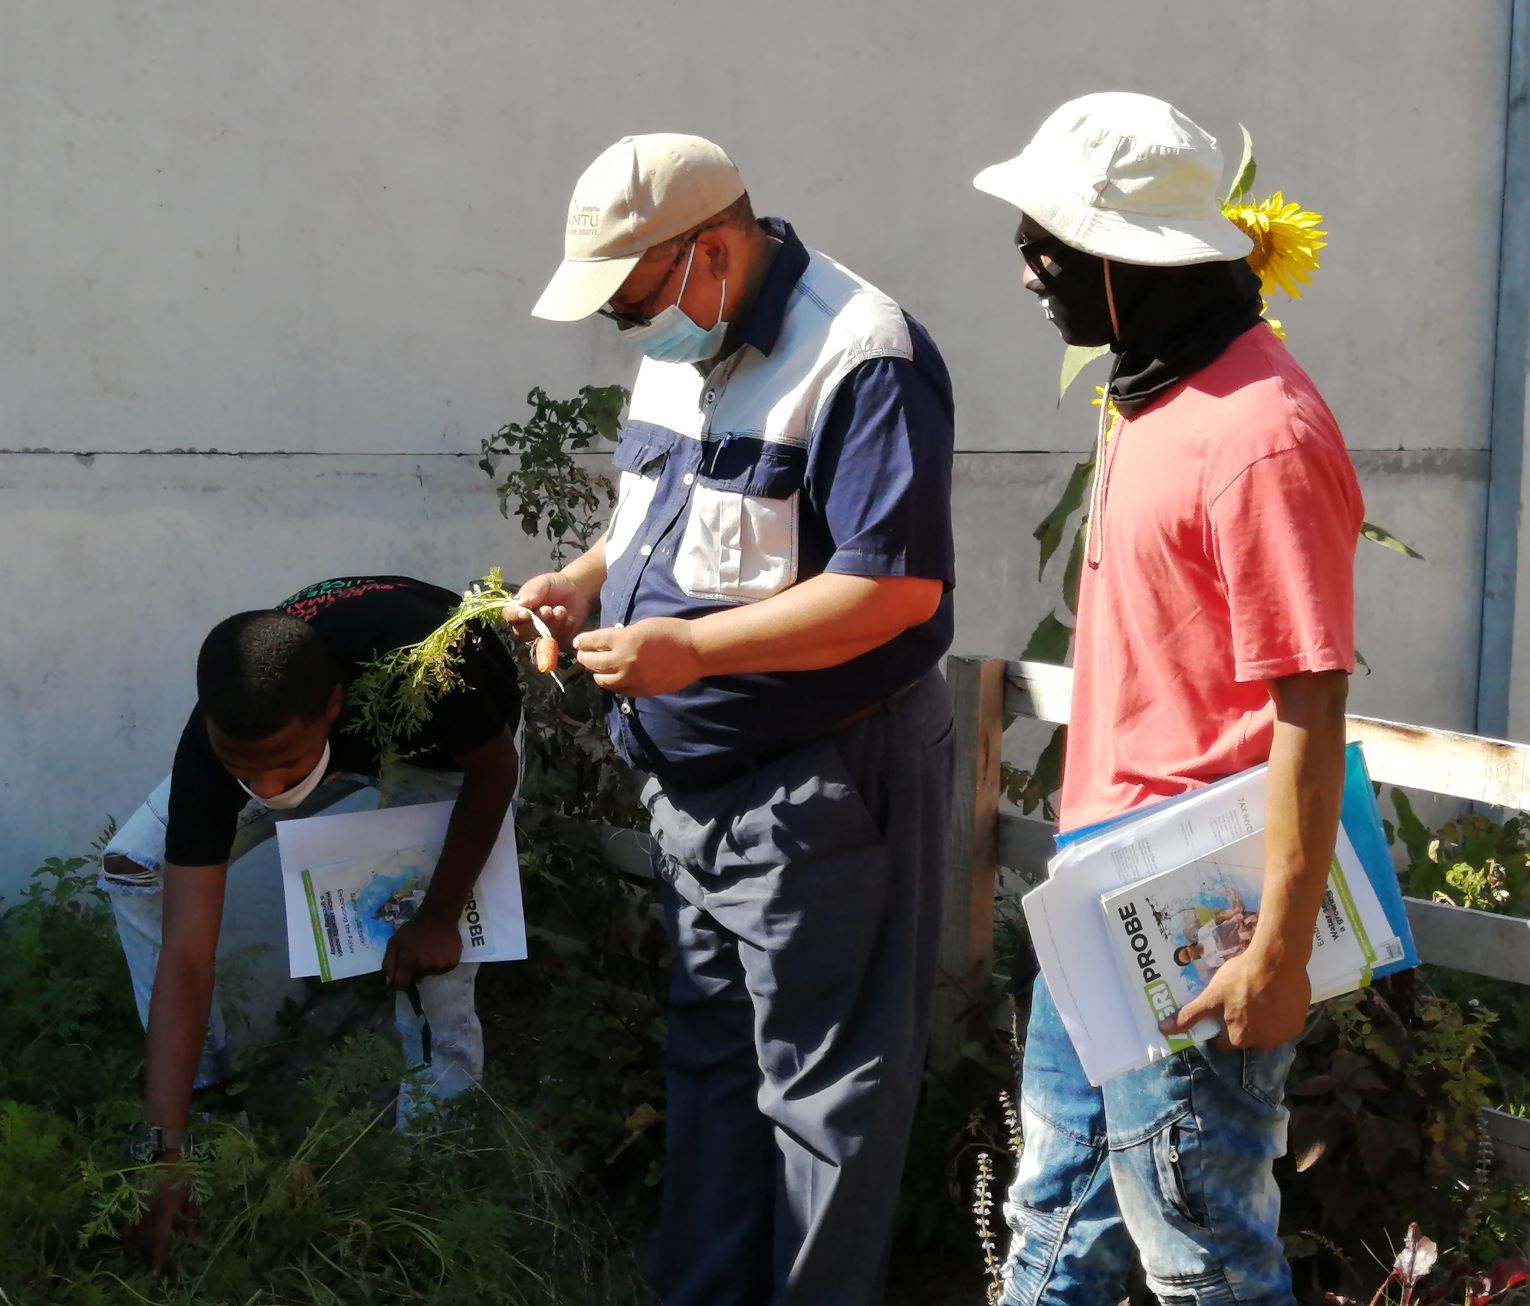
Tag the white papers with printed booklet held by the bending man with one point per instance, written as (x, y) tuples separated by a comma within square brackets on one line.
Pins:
[(353, 879)]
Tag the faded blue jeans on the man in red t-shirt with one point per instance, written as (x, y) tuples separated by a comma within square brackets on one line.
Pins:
[(1174, 1158)]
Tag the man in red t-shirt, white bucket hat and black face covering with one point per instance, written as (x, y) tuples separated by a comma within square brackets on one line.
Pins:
[(1216, 632)]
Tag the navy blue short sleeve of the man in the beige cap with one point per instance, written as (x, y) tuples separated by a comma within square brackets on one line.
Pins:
[(881, 473)]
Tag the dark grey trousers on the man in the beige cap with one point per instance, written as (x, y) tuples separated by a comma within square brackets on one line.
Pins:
[(804, 906)]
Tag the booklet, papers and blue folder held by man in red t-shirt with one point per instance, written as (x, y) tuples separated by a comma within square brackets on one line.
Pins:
[(1362, 929)]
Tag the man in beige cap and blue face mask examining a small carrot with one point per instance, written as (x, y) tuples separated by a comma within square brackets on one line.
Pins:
[(776, 593)]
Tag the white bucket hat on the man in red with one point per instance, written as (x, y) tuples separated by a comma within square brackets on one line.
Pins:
[(1124, 177)]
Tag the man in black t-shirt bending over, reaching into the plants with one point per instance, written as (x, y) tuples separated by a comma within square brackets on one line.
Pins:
[(269, 741)]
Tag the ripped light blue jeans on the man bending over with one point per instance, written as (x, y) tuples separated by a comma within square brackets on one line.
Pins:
[(457, 1039)]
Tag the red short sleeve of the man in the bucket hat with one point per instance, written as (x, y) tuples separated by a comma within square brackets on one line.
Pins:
[(1283, 538)]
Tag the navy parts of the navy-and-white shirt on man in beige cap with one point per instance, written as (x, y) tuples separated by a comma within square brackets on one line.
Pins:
[(873, 501)]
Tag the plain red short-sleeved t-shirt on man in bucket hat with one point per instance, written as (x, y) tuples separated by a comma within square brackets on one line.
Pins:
[(1231, 518)]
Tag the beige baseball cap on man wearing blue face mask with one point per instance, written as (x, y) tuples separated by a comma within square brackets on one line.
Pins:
[(642, 192)]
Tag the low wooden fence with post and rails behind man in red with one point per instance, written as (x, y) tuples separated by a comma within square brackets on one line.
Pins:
[(991, 692)]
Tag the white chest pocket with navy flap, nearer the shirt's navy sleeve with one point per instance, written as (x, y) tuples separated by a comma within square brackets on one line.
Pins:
[(741, 536)]
